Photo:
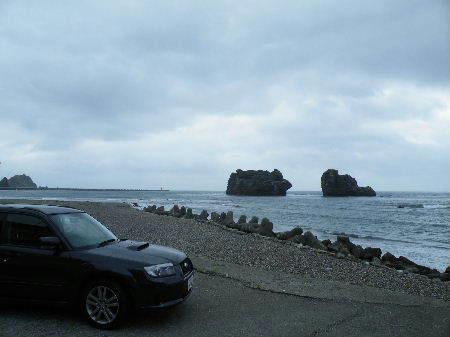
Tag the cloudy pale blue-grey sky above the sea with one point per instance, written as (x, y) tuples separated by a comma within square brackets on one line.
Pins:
[(179, 94)]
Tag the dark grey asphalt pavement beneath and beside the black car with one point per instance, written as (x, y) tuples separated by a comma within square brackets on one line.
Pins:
[(225, 307)]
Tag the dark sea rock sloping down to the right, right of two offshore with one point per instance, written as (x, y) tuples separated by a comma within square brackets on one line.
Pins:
[(336, 185)]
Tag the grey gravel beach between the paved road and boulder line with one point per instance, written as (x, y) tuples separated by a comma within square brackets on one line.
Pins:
[(217, 243)]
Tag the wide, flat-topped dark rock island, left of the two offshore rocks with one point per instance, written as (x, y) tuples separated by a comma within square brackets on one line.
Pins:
[(257, 183)]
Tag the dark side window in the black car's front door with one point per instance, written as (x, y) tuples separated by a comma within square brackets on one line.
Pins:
[(25, 230)]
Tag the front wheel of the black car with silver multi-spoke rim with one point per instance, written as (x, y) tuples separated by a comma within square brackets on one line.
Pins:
[(104, 304)]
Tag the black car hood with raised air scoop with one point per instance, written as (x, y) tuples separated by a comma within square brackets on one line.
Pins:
[(140, 252)]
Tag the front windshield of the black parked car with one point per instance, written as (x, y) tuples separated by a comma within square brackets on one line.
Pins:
[(82, 230)]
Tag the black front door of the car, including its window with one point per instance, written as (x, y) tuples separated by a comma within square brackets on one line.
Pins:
[(30, 270)]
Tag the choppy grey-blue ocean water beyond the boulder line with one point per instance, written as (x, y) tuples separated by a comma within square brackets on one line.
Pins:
[(422, 234)]
